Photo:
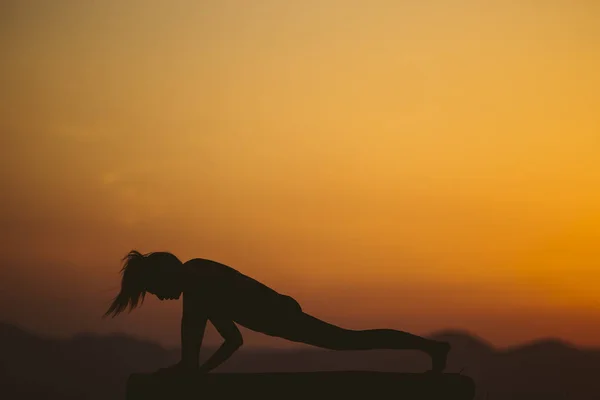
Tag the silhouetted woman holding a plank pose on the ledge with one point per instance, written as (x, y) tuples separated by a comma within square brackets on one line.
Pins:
[(222, 295)]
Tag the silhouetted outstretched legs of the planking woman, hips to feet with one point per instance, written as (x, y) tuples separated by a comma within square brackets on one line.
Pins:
[(304, 328)]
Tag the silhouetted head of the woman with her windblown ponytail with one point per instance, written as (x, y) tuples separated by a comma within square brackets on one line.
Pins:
[(157, 273)]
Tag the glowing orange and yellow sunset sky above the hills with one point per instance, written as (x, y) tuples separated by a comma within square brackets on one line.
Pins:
[(414, 165)]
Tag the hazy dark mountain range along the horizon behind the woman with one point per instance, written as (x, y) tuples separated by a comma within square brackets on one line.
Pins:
[(91, 366)]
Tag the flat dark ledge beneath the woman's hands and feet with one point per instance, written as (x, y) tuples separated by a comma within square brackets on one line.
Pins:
[(342, 385)]
